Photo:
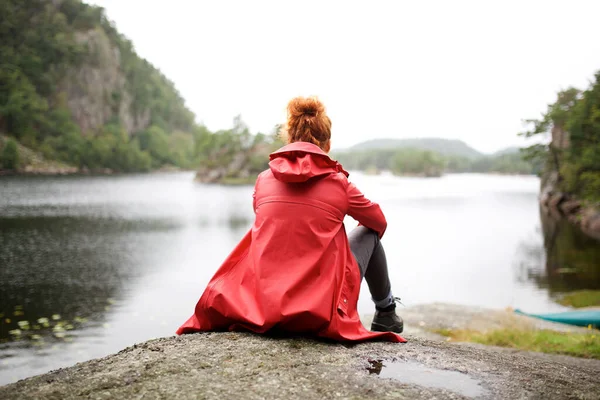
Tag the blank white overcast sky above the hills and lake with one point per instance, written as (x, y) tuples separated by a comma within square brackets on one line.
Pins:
[(470, 70)]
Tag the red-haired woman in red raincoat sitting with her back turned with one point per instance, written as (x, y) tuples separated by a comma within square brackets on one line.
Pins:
[(296, 271)]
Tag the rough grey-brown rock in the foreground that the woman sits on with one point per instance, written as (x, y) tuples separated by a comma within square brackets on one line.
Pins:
[(246, 366)]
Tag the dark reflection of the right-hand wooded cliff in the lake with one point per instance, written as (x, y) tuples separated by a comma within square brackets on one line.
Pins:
[(561, 258)]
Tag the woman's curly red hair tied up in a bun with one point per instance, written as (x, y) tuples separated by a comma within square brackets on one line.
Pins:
[(307, 122)]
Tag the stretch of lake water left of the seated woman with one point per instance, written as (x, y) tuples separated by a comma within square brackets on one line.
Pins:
[(91, 265)]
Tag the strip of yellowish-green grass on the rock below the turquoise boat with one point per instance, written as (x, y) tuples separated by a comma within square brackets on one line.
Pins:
[(573, 344)]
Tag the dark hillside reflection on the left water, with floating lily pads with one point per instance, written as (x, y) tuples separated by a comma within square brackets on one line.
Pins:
[(61, 272)]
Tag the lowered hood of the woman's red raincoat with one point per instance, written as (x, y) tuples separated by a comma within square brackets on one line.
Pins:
[(301, 161)]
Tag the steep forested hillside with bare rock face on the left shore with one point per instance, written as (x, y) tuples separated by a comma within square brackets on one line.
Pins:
[(73, 90)]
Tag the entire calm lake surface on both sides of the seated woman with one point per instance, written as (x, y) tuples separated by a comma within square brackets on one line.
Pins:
[(90, 265)]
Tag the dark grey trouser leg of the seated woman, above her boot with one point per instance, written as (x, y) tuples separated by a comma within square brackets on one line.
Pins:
[(368, 251)]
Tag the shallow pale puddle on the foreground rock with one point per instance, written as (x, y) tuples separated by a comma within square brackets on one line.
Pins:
[(418, 374)]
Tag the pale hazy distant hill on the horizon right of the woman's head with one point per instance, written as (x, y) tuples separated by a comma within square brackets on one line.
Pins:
[(443, 146)]
